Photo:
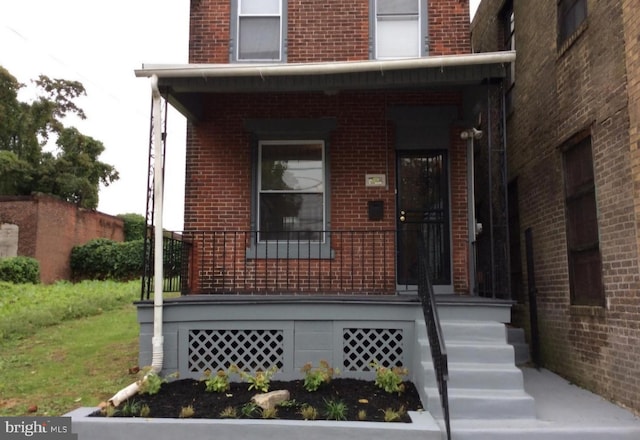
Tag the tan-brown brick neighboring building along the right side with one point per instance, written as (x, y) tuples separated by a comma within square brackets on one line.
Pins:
[(573, 140)]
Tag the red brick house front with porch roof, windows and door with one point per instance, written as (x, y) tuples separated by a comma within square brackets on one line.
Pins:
[(365, 101)]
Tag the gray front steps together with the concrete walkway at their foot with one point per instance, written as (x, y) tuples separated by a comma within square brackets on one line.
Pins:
[(490, 398)]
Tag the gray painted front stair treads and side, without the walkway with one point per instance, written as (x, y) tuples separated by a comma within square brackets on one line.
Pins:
[(484, 382)]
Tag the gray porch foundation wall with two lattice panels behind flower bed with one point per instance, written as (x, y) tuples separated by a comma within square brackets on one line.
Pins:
[(211, 332)]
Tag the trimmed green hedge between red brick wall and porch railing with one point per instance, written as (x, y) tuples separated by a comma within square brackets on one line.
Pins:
[(101, 259)]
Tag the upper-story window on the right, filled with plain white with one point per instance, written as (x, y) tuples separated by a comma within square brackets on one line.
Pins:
[(398, 27)]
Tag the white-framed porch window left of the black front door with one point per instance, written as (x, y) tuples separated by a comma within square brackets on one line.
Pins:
[(291, 191)]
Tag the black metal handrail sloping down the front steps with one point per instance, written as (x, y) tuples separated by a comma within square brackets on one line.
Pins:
[(434, 330)]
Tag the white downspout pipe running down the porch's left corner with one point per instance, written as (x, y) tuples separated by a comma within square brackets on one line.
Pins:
[(157, 341)]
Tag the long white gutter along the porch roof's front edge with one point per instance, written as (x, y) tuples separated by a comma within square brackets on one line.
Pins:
[(302, 69)]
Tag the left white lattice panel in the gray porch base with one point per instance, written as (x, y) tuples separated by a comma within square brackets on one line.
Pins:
[(250, 350)]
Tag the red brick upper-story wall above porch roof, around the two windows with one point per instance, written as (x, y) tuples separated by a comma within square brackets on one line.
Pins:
[(329, 30)]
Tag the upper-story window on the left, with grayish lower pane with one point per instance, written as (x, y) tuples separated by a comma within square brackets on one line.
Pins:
[(258, 28)]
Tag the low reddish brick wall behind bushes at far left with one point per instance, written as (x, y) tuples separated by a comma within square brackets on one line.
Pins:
[(49, 228)]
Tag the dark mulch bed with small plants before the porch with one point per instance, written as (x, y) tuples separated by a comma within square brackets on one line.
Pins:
[(356, 394)]
